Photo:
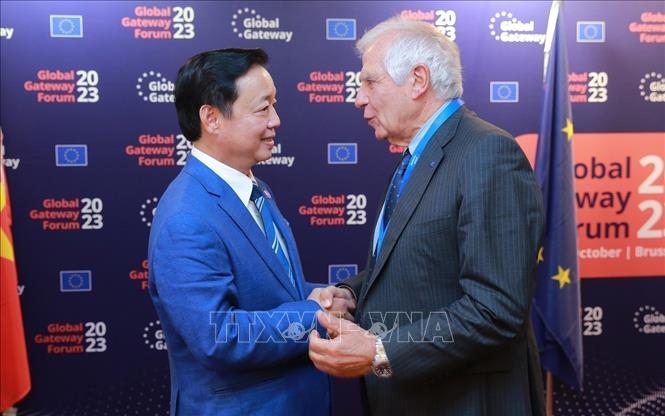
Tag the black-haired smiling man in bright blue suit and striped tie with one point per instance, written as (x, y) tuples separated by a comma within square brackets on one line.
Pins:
[(225, 276)]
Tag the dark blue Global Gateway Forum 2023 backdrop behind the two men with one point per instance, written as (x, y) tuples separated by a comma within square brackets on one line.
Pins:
[(91, 141)]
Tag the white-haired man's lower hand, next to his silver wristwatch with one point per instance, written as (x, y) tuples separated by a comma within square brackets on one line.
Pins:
[(349, 352)]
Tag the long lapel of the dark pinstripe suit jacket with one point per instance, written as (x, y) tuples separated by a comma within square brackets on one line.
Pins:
[(413, 192)]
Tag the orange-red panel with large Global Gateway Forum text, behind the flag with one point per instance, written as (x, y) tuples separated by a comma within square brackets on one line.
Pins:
[(620, 199)]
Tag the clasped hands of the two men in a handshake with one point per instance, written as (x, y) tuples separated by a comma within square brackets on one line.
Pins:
[(349, 349)]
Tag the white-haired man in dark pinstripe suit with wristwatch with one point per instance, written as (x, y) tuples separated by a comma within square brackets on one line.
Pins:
[(444, 303)]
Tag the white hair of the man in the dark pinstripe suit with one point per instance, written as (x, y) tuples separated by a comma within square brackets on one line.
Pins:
[(415, 43)]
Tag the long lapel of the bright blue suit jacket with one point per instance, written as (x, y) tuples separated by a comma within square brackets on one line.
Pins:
[(229, 202)]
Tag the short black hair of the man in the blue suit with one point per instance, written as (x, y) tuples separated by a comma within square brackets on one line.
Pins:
[(210, 78)]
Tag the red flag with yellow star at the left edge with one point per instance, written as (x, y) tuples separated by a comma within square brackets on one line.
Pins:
[(14, 373)]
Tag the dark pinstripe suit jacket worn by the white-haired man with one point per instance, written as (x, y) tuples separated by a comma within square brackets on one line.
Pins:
[(454, 281)]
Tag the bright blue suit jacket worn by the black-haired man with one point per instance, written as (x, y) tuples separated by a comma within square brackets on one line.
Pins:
[(235, 327)]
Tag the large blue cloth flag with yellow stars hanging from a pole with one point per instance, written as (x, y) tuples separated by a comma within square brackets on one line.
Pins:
[(556, 308)]
